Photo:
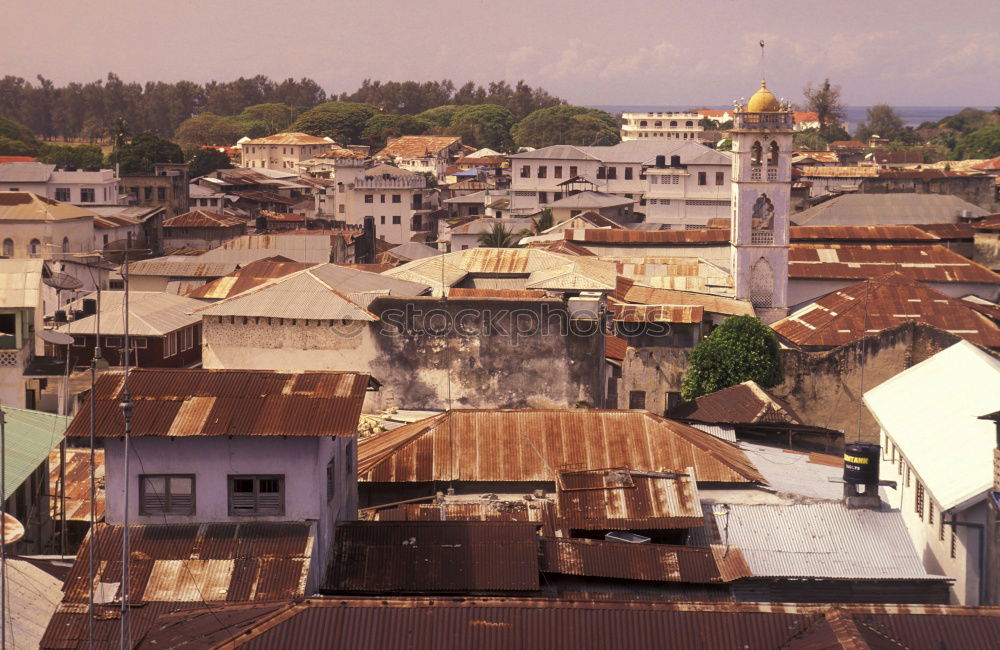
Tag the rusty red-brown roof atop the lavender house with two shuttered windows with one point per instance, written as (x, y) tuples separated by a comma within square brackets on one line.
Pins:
[(175, 402)]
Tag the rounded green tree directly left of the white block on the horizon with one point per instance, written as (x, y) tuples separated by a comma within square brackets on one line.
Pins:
[(566, 125)]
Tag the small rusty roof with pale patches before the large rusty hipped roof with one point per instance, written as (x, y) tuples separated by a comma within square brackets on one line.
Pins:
[(623, 499)]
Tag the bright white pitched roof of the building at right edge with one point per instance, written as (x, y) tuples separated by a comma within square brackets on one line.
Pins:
[(931, 411)]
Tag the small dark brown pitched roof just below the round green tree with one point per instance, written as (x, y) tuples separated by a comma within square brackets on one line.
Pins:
[(745, 403)]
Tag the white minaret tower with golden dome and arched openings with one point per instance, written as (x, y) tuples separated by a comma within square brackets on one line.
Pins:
[(762, 183)]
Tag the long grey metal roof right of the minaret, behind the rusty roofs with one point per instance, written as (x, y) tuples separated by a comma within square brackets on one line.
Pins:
[(886, 209)]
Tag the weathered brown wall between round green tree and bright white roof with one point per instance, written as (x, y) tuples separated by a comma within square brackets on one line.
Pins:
[(825, 388)]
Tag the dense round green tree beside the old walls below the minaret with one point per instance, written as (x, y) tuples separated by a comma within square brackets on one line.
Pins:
[(740, 349)]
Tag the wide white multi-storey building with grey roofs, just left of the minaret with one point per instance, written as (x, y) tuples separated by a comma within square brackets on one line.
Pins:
[(688, 197)]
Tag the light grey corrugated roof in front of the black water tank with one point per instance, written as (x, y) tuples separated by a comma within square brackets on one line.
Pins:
[(822, 540)]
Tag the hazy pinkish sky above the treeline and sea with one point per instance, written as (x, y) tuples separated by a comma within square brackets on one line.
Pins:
[(917, 52)]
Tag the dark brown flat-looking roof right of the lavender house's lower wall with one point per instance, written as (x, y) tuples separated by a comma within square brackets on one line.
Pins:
[(433, 556)]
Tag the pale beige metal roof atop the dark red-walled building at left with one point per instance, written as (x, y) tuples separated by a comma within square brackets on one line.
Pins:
[(151, 313)]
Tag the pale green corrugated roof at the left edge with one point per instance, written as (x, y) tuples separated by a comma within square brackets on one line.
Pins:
[(31, 435)]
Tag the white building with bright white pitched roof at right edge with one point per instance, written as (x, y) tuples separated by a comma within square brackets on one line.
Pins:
[(941, 454)]
